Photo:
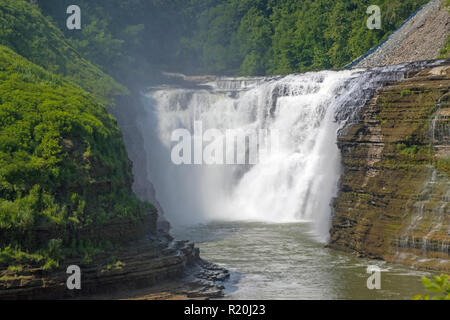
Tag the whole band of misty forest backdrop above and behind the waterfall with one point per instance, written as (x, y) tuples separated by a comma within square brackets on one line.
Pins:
[(246, 37)]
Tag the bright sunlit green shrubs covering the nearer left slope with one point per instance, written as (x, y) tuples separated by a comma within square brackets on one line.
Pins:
[(63, 165)]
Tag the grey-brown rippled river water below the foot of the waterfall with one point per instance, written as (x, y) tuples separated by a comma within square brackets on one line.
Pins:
[(285, 261)]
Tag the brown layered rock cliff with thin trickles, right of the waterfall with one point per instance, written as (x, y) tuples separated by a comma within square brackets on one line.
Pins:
[(394, 199)]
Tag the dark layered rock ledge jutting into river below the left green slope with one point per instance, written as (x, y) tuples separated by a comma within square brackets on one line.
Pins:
[(141, 261)]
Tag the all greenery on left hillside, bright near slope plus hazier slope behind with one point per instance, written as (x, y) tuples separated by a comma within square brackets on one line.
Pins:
[(64, 170)]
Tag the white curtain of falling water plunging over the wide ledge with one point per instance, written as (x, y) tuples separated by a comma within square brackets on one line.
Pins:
[(295, 184)]
